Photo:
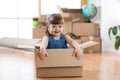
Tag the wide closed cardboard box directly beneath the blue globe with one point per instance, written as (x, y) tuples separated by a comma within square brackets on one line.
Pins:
[(86, 29)]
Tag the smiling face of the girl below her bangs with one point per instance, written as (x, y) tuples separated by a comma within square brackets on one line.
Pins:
[(55, 29)]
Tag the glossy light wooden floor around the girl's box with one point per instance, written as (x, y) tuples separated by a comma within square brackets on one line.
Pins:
[(15, 65)]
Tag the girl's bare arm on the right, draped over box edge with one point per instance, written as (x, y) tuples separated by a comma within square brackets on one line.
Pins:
[(77, 50)]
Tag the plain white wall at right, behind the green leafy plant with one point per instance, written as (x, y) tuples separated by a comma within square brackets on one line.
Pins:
[(110, 17)]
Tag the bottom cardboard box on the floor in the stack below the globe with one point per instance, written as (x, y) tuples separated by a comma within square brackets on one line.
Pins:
[(92, 49)]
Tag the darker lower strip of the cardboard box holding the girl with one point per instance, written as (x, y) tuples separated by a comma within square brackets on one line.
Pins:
[(60, 72)]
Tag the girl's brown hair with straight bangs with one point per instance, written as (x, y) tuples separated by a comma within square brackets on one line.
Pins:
[(53, 19)]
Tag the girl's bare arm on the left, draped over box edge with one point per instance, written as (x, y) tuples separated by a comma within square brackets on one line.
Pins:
[(43, 53)]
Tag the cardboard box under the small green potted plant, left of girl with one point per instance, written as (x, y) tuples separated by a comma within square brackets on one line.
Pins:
[(38, 32)]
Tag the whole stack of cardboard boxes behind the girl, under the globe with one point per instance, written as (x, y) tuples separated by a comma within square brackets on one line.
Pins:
[(76, 23)]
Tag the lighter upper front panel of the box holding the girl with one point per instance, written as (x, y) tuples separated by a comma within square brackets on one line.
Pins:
[(59, 58)]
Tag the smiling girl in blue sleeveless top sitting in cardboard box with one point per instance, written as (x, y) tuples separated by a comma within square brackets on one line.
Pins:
[(55, 39)]
